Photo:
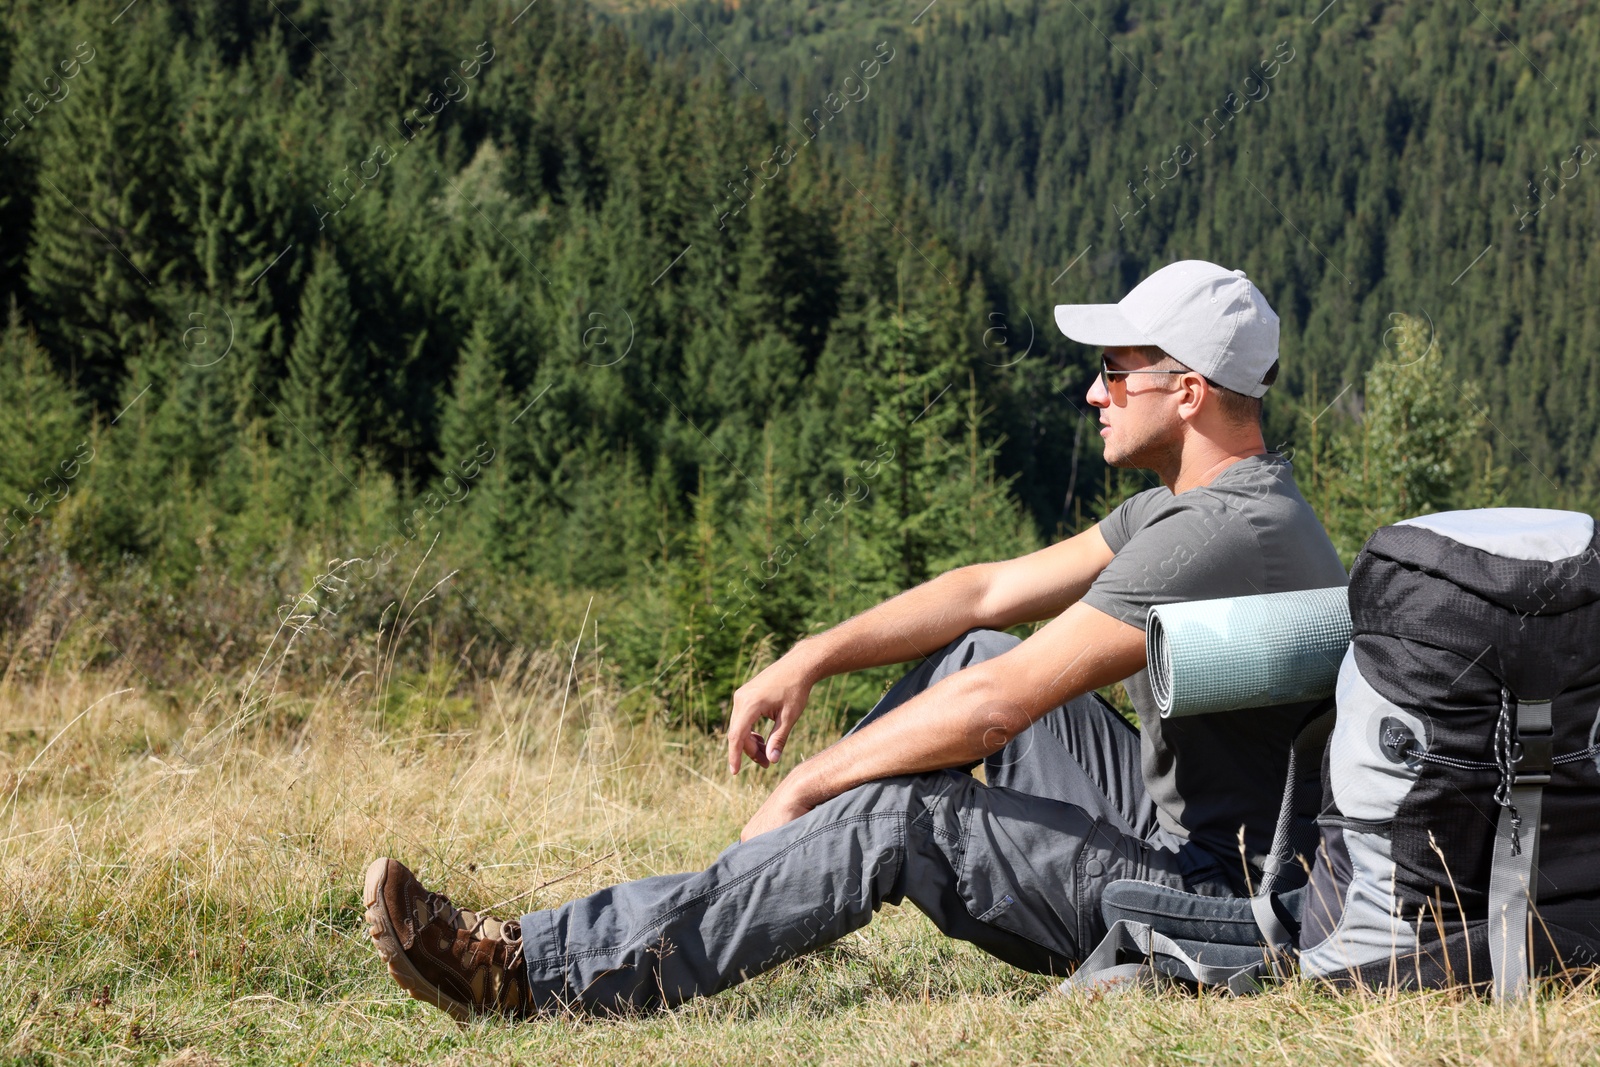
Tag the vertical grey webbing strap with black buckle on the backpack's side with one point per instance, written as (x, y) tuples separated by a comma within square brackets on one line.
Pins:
[(1524, 756)]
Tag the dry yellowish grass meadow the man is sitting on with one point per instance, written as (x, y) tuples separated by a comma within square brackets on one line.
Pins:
[(182, 885)]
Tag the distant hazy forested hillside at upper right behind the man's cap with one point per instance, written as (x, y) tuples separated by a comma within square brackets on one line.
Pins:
[(1358, 158)]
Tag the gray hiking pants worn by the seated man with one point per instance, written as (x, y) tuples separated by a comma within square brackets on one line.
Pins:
[(1017, 866)]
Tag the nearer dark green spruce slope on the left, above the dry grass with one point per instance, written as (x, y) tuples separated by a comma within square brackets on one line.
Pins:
[(345, 279)]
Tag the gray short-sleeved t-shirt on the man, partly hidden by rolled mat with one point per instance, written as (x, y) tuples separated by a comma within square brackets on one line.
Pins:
[(1250, 532)]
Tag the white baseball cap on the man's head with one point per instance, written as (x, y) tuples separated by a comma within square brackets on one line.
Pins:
[(1207, 318)]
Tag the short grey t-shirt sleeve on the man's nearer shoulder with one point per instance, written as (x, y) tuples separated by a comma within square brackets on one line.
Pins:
[(1182, 553)]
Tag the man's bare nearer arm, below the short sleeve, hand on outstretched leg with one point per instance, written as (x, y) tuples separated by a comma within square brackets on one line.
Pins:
[(969, 716)]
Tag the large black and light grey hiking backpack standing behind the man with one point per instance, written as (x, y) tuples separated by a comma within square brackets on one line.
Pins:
[(1458, 799)]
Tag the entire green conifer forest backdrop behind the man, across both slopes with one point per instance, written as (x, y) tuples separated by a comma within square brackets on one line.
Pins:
[(489, 322)]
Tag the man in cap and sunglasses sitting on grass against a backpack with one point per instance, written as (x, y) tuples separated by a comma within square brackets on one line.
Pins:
[(1073, 797)]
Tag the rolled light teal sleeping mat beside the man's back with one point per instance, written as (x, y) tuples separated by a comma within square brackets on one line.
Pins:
[(1247, 652)]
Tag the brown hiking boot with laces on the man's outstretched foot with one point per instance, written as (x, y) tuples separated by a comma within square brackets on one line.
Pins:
[(441, 954)]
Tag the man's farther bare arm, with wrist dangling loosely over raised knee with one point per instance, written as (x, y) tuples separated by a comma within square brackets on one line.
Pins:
[(911, 626)]
